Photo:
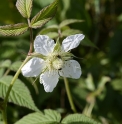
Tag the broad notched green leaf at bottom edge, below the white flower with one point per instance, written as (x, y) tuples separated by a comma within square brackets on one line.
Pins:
[(49, 117)]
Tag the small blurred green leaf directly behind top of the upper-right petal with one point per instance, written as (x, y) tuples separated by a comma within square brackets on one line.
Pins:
[(68, 32)]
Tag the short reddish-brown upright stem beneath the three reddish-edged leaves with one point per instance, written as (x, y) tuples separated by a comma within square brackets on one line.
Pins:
[(31, 38)]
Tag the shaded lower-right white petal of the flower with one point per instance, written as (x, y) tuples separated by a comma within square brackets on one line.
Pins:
[(71, 69)]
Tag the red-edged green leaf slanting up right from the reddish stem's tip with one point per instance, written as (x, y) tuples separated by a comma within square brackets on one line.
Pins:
[(44, 15)]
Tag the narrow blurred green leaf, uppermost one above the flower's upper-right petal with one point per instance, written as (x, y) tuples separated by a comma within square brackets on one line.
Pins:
[(69, 21)]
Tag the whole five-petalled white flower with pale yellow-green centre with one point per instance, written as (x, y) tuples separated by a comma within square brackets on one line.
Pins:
[(56, 62)]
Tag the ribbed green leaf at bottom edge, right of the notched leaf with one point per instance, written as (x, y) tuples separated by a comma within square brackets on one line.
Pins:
[(78, 119)]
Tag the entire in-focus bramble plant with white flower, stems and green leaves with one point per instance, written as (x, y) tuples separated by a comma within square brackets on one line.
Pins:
[(48, 61)]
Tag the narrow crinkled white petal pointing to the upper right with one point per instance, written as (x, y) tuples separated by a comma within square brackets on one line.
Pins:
[(72, 42)]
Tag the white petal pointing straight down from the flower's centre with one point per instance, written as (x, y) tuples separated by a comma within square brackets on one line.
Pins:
[(49, 80)]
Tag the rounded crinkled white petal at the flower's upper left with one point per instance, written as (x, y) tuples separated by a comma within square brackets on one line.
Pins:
[(43, 44)]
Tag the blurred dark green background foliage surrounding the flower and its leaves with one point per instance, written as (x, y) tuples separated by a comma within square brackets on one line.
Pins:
[(98, 93)]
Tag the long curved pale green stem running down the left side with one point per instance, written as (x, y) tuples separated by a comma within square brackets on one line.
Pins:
[(10, 87)]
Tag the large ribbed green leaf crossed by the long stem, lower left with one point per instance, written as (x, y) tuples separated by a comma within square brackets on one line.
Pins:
[(19, 94)]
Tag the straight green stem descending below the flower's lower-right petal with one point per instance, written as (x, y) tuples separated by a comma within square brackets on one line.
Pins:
[(69, 95)]
